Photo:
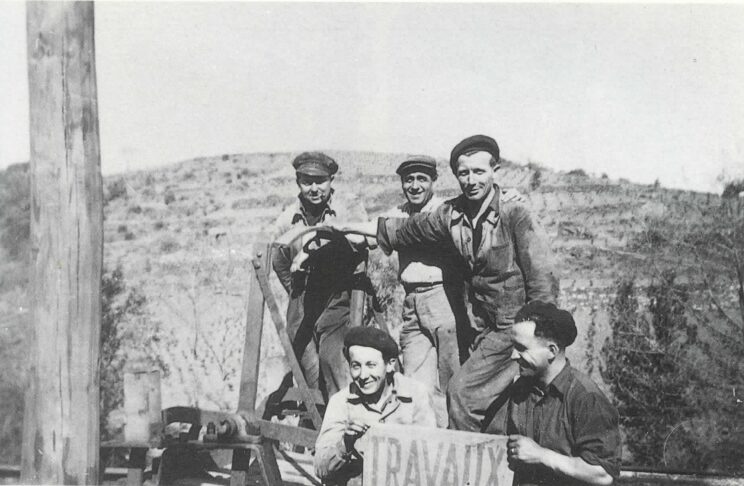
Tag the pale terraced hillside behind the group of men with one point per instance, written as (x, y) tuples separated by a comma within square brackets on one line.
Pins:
[(184, 236)]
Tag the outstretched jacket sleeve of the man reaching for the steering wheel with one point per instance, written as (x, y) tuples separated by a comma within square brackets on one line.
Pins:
[(418, 229)]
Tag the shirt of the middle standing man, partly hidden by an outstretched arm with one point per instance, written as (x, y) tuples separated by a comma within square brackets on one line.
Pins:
[(422, 265)]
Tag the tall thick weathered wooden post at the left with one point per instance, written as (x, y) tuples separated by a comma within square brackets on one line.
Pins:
[(61, 429)]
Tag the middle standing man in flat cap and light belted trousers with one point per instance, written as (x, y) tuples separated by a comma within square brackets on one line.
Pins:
[(433, 305)]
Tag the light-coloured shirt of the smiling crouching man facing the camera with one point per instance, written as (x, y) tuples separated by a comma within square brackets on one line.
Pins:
[(410, 403)]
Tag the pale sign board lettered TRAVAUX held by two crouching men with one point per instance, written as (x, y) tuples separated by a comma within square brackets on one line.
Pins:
[(400, 455)]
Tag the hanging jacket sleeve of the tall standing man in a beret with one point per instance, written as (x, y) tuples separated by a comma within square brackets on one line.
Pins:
[(534, 256)]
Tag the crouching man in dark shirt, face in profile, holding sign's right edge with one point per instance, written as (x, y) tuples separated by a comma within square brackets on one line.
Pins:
[(562, 429)]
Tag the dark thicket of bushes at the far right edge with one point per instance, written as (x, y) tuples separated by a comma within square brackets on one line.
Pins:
[(674, 365)]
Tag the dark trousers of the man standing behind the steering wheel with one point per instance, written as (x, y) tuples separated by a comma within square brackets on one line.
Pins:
[(317, 323)]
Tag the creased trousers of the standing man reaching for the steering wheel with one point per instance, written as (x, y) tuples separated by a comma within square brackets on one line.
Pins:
[(481, 380)]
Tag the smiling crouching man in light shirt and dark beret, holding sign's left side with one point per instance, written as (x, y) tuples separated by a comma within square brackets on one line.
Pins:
[(377, 394)]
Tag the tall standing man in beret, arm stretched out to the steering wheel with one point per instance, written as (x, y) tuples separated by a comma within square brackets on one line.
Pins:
[(507, 262)]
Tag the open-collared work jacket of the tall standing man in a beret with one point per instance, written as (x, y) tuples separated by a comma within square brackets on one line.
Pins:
[(511, 265)]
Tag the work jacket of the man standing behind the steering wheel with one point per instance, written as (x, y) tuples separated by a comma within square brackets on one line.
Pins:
[(329, 269)]
